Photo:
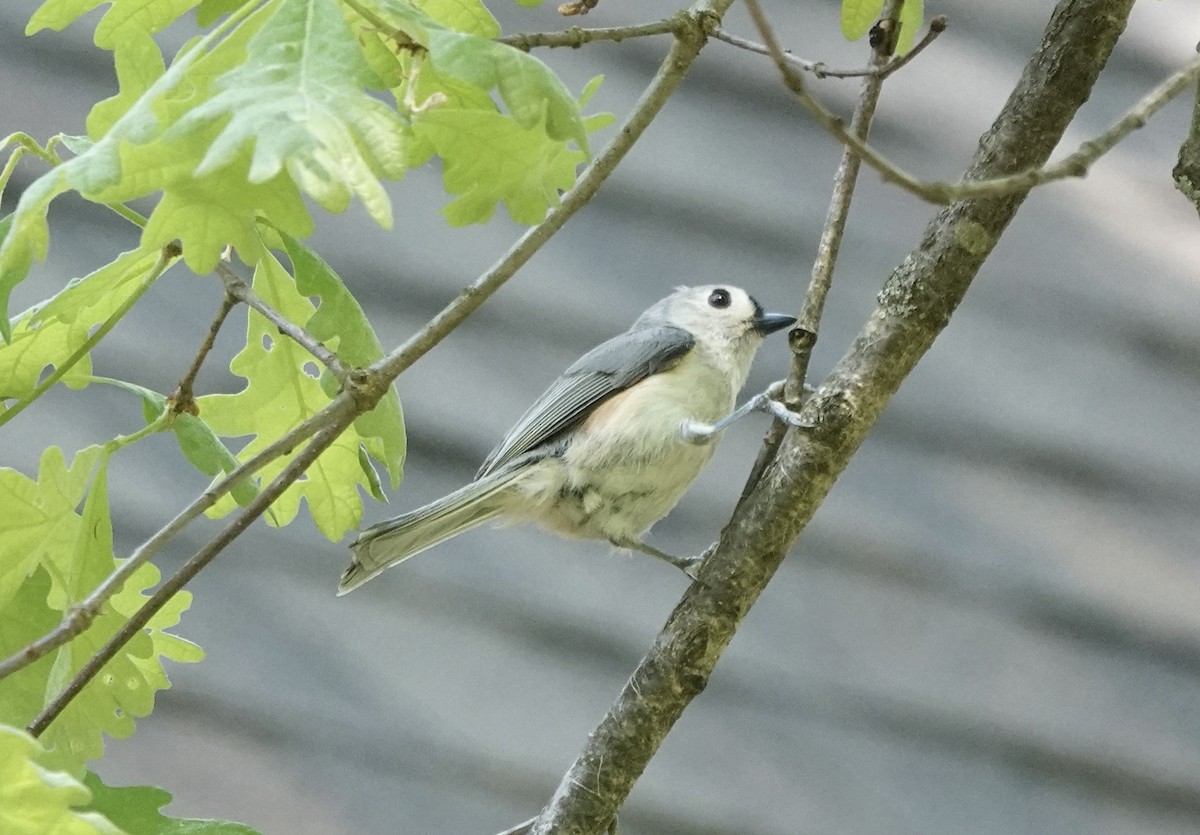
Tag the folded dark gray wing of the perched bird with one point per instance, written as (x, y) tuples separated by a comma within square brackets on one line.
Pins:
[(610, 368)]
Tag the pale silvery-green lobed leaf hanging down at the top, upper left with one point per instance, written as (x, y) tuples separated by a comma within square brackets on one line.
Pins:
[(299, 99)]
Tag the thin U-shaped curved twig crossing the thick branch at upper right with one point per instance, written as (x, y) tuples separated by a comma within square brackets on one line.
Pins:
[(1076, 165)]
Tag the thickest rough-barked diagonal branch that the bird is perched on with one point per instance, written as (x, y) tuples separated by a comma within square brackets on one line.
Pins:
[(915, 307)]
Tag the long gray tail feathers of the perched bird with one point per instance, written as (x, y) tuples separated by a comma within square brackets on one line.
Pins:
[(395, 540)]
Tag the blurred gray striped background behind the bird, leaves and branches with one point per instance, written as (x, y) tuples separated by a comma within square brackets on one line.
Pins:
[(991, 627)]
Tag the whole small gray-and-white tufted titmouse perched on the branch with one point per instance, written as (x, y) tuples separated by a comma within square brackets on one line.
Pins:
[(614, 444)]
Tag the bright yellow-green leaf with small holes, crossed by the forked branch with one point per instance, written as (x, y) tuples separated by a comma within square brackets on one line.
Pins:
[(284, 389)]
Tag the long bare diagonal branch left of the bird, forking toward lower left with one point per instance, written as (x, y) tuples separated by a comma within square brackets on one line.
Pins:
[(364, 388)]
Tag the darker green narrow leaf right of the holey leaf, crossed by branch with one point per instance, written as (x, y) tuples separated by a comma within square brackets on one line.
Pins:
[(341, 322)]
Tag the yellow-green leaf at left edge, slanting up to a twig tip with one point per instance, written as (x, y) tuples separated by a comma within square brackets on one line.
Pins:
[(47, 335)]
